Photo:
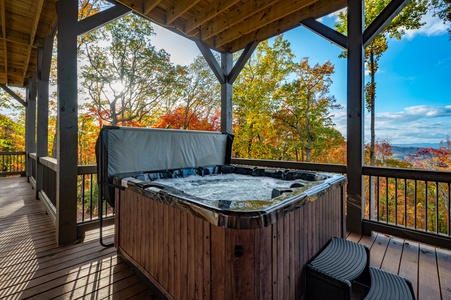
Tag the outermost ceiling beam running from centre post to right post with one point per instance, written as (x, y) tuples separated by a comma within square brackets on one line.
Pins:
[(317, 10)]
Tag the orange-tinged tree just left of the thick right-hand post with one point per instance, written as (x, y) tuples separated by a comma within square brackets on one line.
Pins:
[(305, 110)]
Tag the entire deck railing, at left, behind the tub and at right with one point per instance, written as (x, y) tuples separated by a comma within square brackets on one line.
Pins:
[(407, 203)]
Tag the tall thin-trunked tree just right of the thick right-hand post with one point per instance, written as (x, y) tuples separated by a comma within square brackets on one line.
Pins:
[(409, 18)]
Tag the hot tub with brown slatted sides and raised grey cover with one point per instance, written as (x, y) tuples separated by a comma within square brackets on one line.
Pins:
[(191, 240)]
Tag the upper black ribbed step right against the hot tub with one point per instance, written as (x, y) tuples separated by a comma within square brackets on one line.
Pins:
[(331, 273)]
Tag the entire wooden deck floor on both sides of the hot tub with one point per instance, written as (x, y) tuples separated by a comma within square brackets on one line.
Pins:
[(32, 266)]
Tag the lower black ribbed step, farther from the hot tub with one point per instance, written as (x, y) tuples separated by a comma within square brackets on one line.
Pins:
[(386, 285)]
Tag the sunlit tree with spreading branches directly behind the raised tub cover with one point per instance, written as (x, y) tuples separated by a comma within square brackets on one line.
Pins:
[(126, 76)]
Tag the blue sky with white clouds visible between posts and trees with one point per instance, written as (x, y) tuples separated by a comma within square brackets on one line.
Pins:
[(413, 99)]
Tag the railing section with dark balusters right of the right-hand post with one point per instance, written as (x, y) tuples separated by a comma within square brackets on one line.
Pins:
[(408, 203)]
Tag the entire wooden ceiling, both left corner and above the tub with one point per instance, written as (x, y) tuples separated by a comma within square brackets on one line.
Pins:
[(225, 26)]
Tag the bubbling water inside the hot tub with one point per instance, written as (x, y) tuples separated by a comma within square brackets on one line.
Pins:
[(228, 186)]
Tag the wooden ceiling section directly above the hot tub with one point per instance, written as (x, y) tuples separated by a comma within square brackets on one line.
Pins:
[(229, 25)]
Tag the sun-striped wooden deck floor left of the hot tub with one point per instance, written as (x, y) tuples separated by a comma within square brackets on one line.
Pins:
[(32, 266)]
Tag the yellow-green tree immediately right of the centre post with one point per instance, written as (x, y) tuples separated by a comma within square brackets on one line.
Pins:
[(255, 93)]
